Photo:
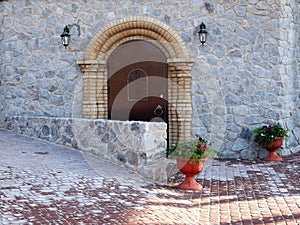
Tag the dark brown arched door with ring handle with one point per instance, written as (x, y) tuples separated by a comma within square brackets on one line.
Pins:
[(137, 90)]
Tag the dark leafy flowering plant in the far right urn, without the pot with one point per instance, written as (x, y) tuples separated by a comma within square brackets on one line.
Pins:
[(267, 134)]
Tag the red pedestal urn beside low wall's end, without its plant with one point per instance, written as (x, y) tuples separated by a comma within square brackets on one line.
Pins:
[(190, 170)]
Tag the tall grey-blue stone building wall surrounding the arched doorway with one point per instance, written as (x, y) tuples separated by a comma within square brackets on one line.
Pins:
[(246, 74)]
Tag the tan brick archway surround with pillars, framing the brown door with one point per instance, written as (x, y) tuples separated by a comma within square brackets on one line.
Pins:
[(94, 68)]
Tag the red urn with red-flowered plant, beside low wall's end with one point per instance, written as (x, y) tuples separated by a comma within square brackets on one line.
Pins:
[(190, 158)]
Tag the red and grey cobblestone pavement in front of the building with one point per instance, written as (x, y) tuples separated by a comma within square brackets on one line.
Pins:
[(42, 183)]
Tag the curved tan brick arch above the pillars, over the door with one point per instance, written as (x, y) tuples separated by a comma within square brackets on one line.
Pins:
[(136, 28)]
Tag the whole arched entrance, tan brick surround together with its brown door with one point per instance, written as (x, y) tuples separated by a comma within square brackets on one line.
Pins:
[(144, 52)]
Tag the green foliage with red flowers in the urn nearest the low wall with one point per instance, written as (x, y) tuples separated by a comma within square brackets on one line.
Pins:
[(195, 150)]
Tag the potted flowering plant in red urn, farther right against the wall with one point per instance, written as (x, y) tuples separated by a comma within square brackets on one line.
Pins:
[(270, 137)]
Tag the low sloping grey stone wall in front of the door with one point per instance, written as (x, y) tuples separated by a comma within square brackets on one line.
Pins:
[(139, 146)]
